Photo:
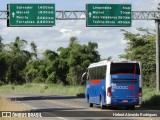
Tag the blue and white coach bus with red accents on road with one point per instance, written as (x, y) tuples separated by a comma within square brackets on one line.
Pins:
[(114, 83)]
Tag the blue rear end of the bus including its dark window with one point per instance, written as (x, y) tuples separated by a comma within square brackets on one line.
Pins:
[(125, 83)]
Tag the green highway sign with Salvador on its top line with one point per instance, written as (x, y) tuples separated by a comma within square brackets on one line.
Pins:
[(31, 15)]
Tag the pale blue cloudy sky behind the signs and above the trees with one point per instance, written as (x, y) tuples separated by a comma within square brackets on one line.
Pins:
[(110, 39)]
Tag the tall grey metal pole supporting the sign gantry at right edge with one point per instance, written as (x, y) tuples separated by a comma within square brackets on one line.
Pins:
[(158, 55)]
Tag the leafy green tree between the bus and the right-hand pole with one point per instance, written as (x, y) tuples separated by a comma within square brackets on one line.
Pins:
[(141, 46)]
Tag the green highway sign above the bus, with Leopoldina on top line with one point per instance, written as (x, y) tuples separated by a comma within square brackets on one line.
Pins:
[(108, 15)]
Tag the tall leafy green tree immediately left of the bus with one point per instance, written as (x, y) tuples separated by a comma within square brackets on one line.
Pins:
[(79, 57)]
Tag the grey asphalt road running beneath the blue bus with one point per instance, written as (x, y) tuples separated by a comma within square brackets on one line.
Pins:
[(60, 107)]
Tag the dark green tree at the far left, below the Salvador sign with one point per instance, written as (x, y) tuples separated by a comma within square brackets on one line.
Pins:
[(15, 58)]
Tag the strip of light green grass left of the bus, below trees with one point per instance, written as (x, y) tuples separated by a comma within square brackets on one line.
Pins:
[(42, 88)]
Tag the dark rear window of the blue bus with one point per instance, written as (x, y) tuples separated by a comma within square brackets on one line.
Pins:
[(125, 68)]
